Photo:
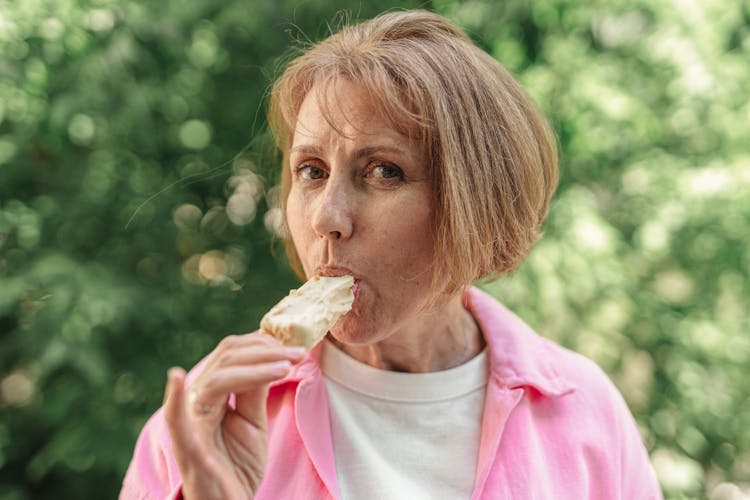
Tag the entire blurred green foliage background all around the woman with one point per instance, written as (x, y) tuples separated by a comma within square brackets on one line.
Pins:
[(138, 210)]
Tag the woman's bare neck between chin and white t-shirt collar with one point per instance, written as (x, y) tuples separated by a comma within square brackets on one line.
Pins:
[(436, 340)]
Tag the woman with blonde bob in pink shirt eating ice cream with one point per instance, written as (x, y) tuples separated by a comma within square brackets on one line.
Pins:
[(415, 163)]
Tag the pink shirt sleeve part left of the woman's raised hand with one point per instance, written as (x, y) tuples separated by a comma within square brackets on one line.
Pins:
[(153, 472)]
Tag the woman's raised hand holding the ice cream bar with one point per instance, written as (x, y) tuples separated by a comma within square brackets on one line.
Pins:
[(221, 452)]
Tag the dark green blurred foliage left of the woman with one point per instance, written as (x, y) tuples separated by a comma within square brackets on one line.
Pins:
[(135, 182)]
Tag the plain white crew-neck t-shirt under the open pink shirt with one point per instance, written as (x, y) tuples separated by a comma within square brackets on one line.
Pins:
[(404, 435)]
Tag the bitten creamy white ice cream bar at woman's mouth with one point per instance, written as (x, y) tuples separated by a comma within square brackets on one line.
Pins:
[(305, 315)]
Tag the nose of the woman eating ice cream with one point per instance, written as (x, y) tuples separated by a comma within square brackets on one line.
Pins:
[(333, 217)]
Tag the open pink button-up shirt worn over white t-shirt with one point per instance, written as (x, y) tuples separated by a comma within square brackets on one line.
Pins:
[(554, 427)]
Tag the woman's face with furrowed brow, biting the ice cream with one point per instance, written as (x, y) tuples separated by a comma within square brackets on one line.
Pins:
[(360, 203)]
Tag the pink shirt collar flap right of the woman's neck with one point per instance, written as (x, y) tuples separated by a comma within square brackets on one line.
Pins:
[(518, 356)]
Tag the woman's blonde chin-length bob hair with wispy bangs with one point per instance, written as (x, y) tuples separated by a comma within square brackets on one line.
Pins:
[(493, 155)]
